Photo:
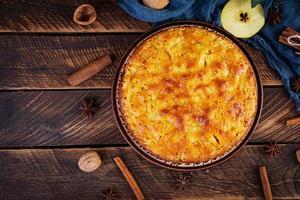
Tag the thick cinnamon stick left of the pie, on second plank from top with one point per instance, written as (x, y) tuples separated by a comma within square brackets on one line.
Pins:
[(89, 70)]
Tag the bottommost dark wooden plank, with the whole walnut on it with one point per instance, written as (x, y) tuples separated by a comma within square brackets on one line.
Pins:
[(53, 174)]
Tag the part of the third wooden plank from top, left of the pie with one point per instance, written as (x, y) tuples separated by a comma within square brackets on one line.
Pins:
[(53, 118)]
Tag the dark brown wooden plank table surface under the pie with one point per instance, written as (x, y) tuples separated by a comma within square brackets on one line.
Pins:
[(42, 132)]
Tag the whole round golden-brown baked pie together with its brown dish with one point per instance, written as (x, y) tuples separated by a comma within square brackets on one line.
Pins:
[(187, 95)]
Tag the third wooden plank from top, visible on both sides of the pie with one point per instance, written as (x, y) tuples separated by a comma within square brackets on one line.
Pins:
[(52, 118)]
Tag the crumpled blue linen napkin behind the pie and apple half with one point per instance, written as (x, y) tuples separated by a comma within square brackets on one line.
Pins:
[(279, 56)]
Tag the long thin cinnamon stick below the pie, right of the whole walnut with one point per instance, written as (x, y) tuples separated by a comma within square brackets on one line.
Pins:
[(134, 186)]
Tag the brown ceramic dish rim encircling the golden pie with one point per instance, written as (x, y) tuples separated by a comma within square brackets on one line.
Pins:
[(130, 138)]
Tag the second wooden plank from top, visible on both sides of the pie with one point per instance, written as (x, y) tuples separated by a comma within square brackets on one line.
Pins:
[(44, 62)]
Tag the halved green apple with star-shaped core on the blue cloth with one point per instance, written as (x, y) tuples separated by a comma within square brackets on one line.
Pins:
[(241, 20)]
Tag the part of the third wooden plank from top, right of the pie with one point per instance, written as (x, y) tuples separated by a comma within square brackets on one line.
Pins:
[(277, 109)]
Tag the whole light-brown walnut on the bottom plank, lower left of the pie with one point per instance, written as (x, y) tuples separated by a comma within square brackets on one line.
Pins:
[(89, 162)]
